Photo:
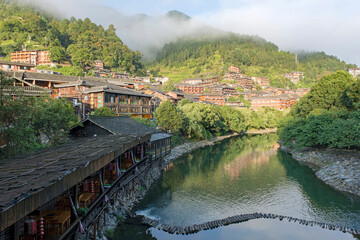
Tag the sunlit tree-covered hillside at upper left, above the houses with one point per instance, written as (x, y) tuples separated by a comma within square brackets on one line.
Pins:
[(23, 26)]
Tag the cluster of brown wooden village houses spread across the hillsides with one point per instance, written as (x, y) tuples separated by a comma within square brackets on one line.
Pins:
[(140, 96)]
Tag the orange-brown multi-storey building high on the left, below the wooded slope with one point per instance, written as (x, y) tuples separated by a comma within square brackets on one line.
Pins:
[(35, 57)]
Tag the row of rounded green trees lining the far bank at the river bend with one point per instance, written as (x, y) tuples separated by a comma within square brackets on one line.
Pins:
[(202, 121)]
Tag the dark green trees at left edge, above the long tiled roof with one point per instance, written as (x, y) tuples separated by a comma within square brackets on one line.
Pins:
[(27, 124)]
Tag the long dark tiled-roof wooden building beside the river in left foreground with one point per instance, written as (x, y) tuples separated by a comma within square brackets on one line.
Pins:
[(41, 198)]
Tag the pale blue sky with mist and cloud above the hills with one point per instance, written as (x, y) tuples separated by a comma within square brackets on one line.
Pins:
[(332, 26)]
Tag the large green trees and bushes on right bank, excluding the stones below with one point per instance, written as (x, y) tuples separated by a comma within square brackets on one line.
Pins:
[(328, 117)]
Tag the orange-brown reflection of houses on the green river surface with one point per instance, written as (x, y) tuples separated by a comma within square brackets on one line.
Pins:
[(236, 167)]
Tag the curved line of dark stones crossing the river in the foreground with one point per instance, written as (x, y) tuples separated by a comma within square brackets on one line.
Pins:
[(232, 220)]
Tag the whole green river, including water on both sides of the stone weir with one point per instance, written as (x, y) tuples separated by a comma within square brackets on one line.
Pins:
[(243, 175)]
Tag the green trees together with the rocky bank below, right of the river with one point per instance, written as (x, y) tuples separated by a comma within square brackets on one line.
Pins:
[(323, 127)]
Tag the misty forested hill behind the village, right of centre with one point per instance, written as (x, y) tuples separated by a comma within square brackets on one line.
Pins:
[(254, 55)]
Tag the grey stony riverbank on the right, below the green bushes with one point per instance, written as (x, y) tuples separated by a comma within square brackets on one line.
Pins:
[(339, 169)]
